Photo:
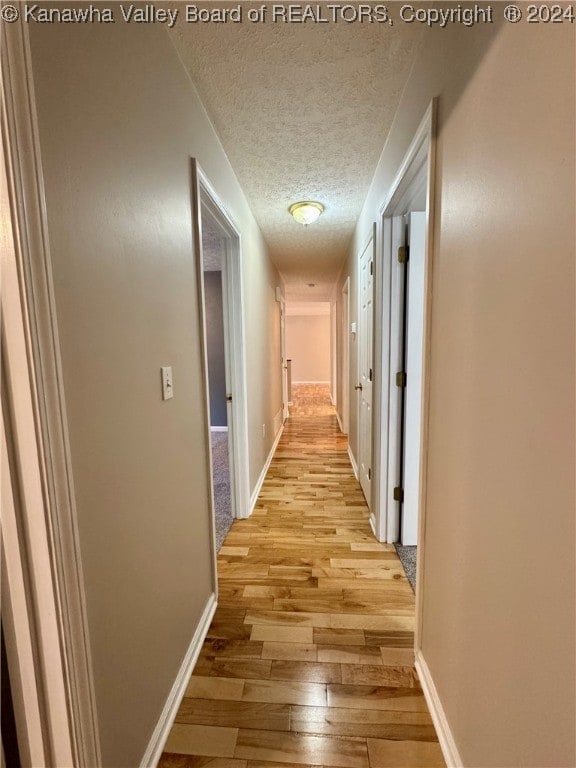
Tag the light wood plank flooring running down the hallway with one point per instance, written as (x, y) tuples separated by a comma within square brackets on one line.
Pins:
[(309, 659)]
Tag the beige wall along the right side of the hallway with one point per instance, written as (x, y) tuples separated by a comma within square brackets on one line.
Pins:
[(498, 625)]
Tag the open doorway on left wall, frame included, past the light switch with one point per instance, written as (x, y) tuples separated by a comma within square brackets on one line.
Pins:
[(220, 289)]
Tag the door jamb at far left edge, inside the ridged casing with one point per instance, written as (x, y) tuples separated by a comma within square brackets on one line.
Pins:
[(30, 601)]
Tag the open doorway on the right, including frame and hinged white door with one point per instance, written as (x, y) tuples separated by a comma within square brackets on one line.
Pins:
[(402, 351)]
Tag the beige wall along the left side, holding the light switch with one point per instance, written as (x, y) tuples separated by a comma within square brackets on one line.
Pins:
[(119, 122)]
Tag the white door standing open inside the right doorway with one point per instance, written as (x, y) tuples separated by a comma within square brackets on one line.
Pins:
[(413, 357)]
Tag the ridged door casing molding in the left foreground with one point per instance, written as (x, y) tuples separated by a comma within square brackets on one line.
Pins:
[(28, 212)]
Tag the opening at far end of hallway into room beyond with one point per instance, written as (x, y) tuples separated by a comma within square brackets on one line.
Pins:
[(309, 350)]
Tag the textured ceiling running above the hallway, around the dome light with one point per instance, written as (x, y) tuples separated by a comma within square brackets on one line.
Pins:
[(303, 111)]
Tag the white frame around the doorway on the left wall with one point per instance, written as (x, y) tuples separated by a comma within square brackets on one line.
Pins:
[(232, 289)]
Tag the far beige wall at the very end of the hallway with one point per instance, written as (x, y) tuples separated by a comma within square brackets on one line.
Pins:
[(308, 346)]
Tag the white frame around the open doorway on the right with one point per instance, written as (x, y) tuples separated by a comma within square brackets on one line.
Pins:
[(416, 175)]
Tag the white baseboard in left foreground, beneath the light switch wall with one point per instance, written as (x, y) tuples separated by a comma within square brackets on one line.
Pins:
[(162, 730)]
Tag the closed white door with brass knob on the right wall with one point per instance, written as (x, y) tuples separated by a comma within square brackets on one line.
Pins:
[(365, 372)]
